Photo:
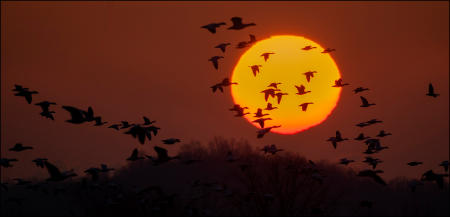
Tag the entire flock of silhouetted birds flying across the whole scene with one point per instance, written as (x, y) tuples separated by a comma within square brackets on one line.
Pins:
[(143, 131)]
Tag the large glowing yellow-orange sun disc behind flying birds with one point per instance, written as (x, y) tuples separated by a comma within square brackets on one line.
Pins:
[(291, 58)]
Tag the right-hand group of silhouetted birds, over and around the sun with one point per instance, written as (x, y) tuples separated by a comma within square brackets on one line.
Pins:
[(373, 144)]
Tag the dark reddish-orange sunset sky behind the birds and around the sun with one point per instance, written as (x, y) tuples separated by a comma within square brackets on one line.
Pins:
[(129, 59)]
